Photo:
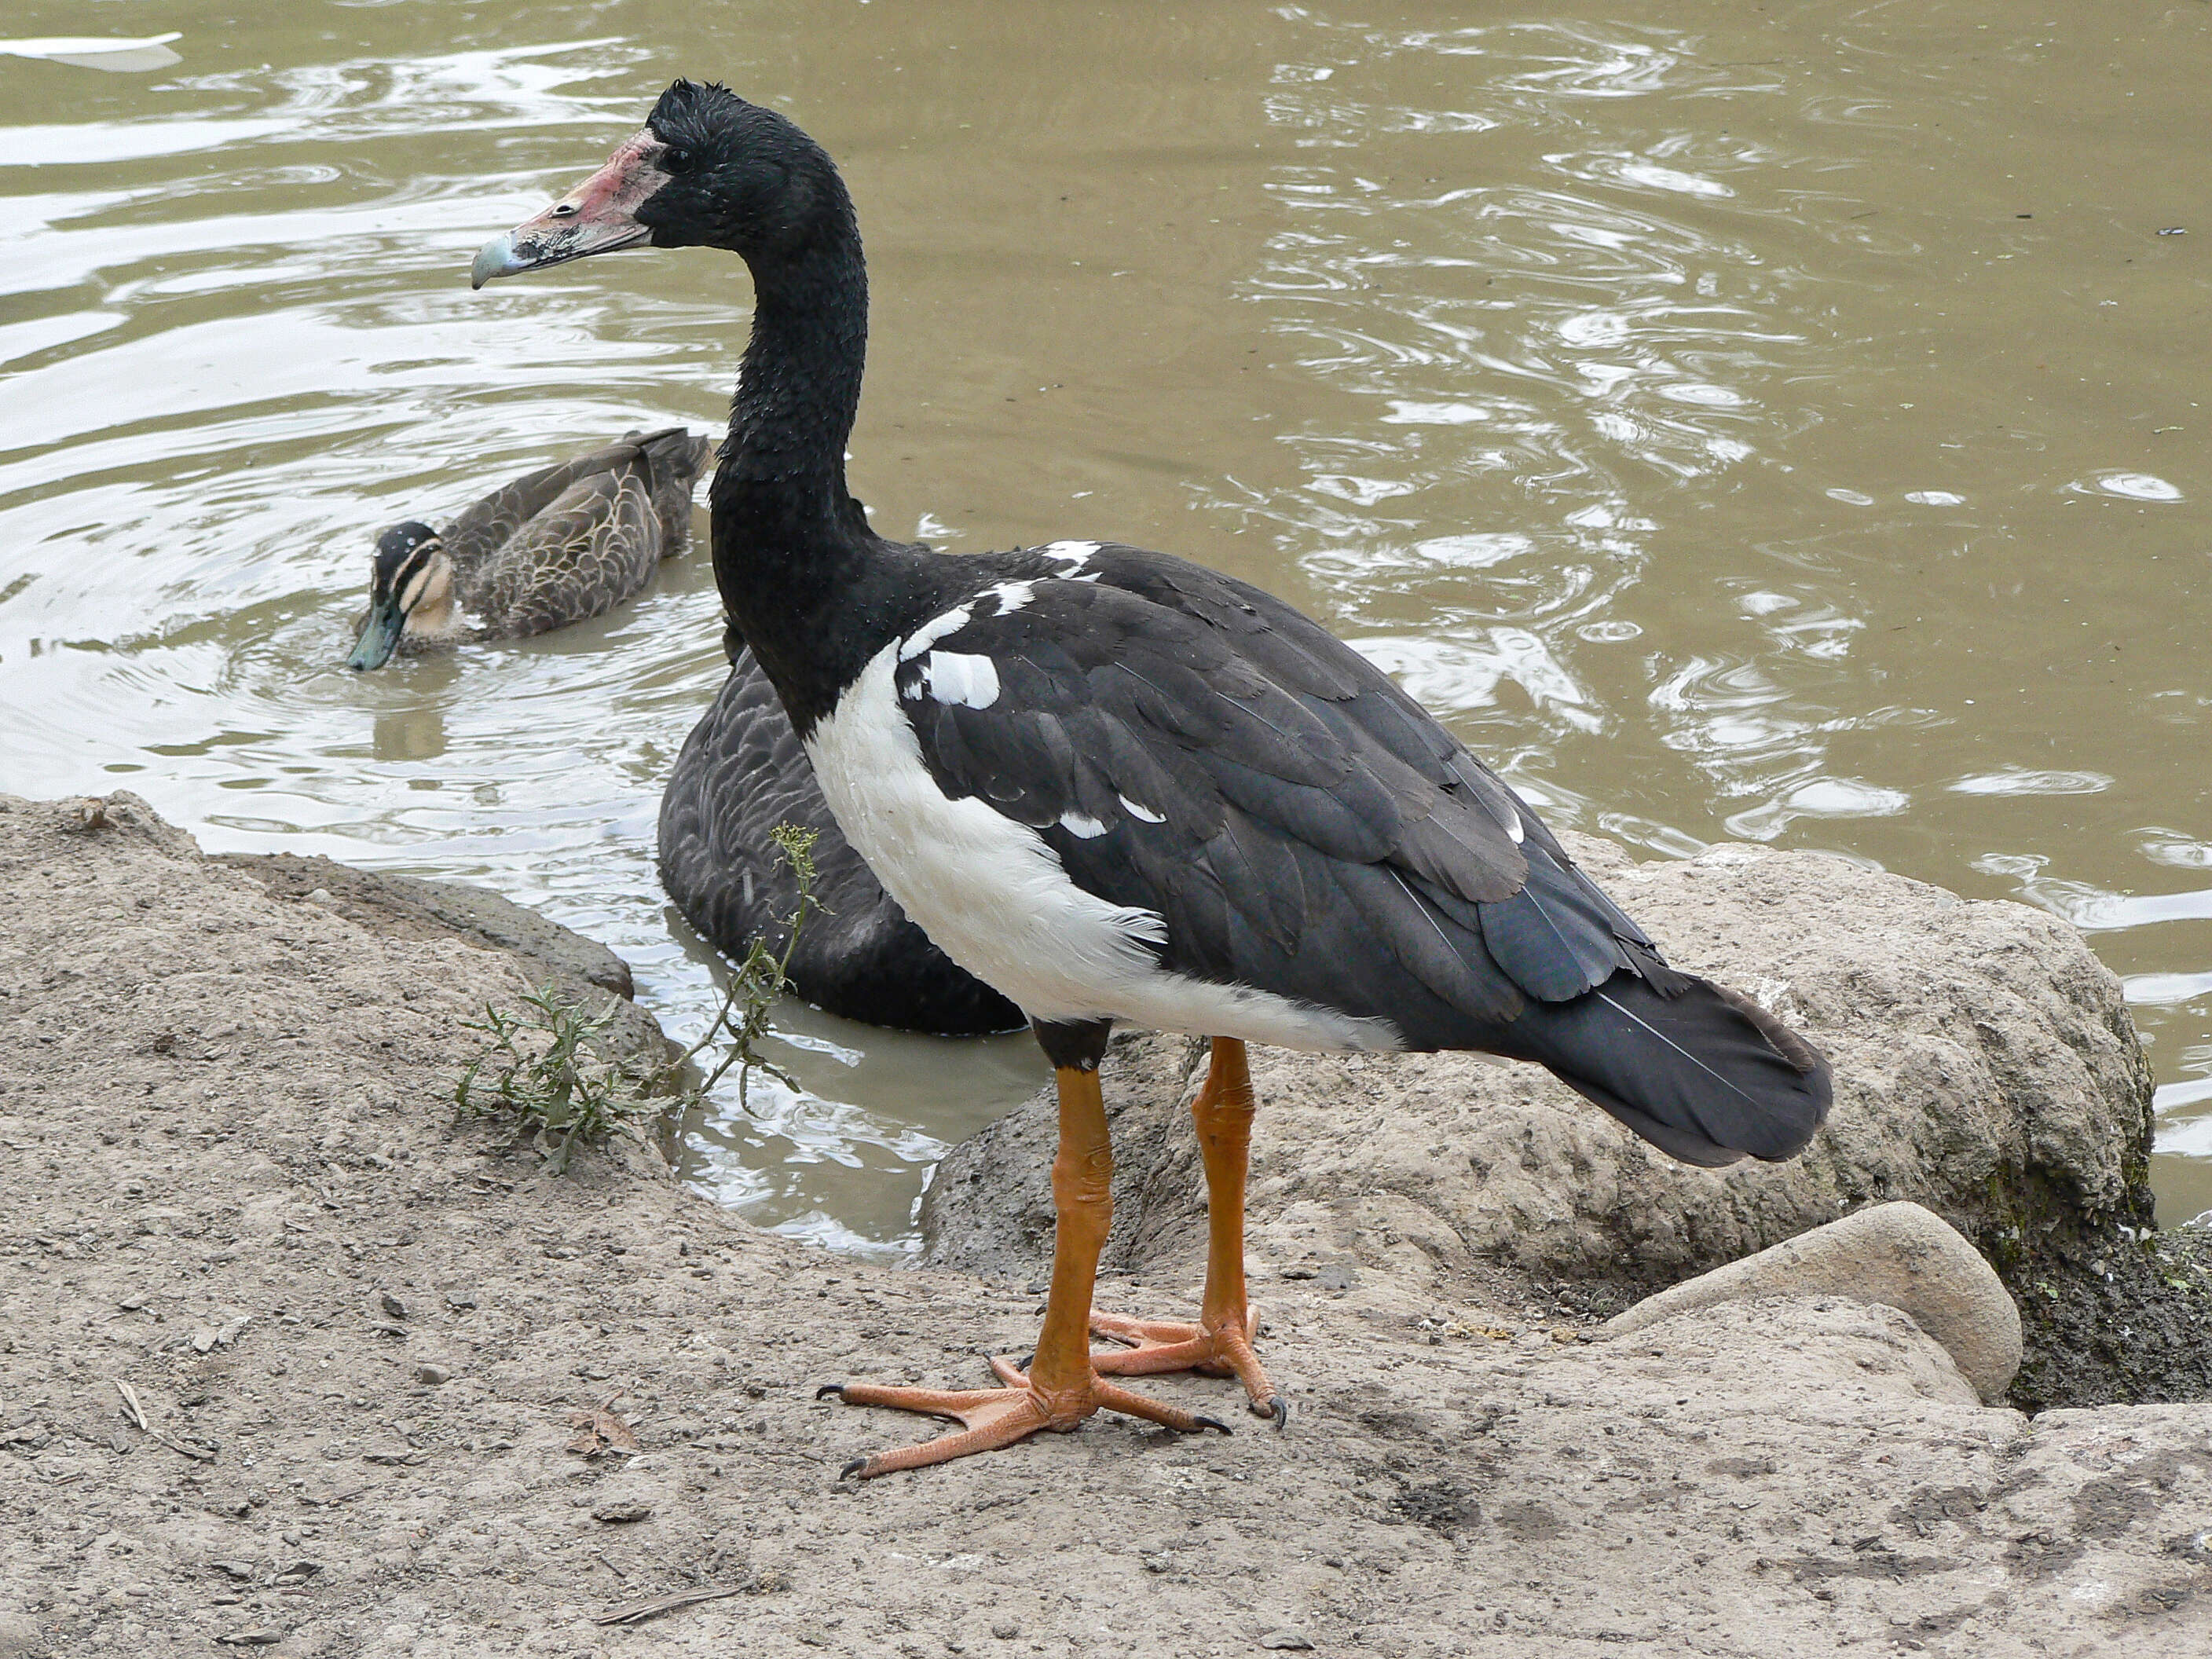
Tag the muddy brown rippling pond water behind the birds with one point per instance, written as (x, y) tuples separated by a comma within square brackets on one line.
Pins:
[(1738, 424)]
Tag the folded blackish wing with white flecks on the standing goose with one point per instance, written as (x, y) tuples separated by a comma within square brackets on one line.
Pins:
[(1193, 747)]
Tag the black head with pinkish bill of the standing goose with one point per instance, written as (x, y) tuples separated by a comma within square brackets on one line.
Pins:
[(707, 169)]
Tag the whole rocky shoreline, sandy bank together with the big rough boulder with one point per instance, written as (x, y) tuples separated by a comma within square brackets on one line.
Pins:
[(399, 1392)]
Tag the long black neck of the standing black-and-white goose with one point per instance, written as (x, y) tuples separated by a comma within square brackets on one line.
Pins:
[(802, 576)]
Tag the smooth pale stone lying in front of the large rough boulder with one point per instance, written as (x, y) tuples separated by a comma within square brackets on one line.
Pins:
[(1897, 1255)]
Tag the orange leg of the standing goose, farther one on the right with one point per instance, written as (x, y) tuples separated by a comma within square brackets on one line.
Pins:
[(1222, 1342)]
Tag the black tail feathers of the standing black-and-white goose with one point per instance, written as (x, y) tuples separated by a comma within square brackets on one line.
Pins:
[(1704, 1074)]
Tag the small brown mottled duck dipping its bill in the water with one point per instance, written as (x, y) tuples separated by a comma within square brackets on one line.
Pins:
[(554, 547)]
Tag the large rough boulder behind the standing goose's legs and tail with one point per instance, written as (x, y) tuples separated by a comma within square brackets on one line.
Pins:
[(1985, 1067)]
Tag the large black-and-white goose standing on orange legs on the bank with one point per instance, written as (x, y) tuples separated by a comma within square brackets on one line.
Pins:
[(1123, 789)]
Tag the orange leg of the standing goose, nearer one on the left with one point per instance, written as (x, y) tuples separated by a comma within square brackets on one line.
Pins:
[(1061, 1388)]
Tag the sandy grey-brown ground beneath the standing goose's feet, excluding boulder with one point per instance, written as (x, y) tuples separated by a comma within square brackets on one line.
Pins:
[(393, 1375)]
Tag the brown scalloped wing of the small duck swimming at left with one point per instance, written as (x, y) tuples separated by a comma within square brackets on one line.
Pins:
[(578, 559)]
